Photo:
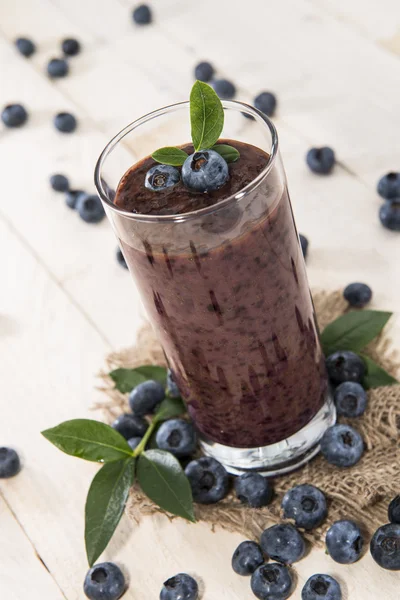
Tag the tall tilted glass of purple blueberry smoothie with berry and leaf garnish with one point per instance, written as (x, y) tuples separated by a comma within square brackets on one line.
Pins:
[(207, 230)]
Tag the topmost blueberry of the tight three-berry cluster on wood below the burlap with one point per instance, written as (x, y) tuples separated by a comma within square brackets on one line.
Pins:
[(283, 543)]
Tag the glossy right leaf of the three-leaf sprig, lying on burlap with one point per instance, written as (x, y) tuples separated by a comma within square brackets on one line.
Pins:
[(161, 478)]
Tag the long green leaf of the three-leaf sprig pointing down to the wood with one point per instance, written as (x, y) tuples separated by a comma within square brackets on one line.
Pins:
[(105, 504)]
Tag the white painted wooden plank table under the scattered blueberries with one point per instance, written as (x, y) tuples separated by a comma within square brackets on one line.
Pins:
[(65, 302)]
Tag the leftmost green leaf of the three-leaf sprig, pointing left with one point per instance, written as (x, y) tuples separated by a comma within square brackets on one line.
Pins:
[(90, 440)]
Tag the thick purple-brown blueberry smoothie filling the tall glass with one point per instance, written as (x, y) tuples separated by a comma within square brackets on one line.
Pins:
[(229, 298)]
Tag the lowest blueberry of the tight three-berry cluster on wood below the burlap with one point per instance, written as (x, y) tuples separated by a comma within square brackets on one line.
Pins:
[(272, 582)]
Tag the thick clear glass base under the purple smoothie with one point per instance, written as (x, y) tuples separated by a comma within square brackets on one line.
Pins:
[(279, 458)]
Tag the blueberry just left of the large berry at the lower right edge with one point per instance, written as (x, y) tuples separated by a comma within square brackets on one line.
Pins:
[(344, 542)]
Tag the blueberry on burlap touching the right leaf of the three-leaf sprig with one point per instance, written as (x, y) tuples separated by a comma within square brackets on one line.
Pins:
[(208, 479)]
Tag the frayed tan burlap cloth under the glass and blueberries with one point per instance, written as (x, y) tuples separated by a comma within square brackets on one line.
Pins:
[(361, 493)]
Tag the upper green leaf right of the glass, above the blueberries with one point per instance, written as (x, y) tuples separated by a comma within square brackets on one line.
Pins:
[(354, 330)]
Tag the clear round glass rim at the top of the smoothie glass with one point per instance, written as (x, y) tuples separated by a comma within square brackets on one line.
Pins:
[(227, 104)]
